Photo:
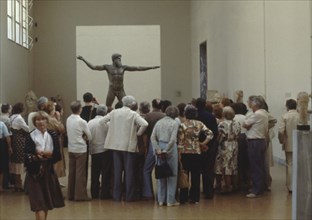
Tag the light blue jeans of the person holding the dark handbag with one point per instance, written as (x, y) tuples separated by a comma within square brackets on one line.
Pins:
[(166, 187)]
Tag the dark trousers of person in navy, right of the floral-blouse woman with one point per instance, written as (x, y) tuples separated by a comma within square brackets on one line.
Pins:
[(207, 169)]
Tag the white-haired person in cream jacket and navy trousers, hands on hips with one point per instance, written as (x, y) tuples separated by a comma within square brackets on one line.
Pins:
[(124, 127)]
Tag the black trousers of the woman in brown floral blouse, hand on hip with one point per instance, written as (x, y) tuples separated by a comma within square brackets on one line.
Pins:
[(191, 163)]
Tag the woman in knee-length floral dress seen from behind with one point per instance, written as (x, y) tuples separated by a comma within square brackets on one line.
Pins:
[(226, 161)]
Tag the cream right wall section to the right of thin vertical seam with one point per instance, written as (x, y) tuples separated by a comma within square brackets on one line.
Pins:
[(288, 46)]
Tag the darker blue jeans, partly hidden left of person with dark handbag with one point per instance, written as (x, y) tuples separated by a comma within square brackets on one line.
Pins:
[(148, 167)]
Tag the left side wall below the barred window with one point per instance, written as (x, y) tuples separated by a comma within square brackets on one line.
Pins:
[(16, 65)]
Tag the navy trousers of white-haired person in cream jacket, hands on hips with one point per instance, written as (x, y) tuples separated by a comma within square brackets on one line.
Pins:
[(124, 162)]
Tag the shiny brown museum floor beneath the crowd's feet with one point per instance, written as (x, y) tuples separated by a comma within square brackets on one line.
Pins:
[(272, 205)]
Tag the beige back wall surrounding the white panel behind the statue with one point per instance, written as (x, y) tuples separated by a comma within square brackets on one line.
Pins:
[(55, 51)]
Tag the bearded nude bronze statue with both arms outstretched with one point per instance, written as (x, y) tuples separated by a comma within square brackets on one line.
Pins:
[(115, 72)]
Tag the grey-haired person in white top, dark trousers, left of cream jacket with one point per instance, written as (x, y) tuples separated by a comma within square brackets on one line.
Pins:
[(101, 159)]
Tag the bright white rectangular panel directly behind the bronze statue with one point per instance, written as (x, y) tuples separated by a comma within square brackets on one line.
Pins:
[(138, 45)]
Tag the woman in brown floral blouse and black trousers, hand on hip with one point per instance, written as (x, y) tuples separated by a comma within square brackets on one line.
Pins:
[(190, 148)]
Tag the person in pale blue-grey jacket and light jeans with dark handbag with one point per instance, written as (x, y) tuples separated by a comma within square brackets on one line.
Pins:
[(164, 141)]
